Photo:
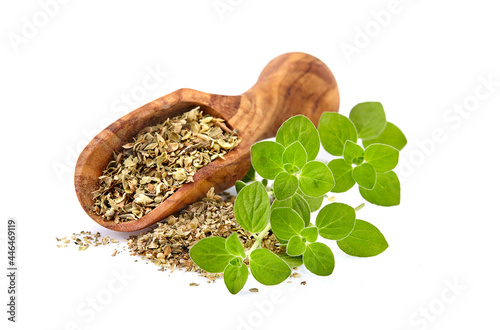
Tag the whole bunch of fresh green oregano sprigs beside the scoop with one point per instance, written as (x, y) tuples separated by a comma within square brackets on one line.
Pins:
[(300, 185)]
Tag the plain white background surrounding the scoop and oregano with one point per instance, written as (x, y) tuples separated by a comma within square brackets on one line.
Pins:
[(63, 82)]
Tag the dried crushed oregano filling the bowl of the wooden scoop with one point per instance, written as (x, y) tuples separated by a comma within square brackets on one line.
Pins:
[(158, 161)]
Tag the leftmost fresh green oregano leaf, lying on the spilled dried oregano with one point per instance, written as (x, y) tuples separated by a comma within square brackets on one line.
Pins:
[(210, 254)]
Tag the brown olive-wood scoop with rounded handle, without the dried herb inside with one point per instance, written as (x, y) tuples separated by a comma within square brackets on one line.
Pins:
[(291, 84)]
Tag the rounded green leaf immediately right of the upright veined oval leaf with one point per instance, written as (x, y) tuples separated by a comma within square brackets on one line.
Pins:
[(286, 223)]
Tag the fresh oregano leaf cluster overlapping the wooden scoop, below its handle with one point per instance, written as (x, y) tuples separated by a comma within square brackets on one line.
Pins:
[(290, 160)]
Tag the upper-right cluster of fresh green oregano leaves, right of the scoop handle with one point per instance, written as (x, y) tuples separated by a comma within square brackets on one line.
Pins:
[(370, 167)]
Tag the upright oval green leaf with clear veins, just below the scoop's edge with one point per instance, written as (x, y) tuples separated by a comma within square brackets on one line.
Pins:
[(252, 208)]
